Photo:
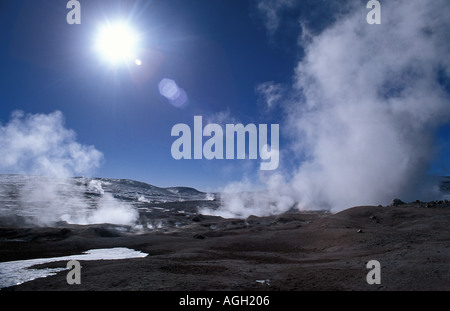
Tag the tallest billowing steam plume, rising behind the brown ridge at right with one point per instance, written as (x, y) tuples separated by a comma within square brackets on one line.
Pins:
[(362, 112)]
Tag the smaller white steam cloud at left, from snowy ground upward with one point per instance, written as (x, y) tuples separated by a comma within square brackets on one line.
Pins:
[(41, 146)]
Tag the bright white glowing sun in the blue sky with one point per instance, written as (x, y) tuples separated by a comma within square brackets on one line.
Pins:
[(118, 43)]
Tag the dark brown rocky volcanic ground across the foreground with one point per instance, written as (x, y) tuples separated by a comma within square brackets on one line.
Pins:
[(289, 252)]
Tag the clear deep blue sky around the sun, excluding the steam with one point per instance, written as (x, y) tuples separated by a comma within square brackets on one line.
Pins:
[(217, 51)]
